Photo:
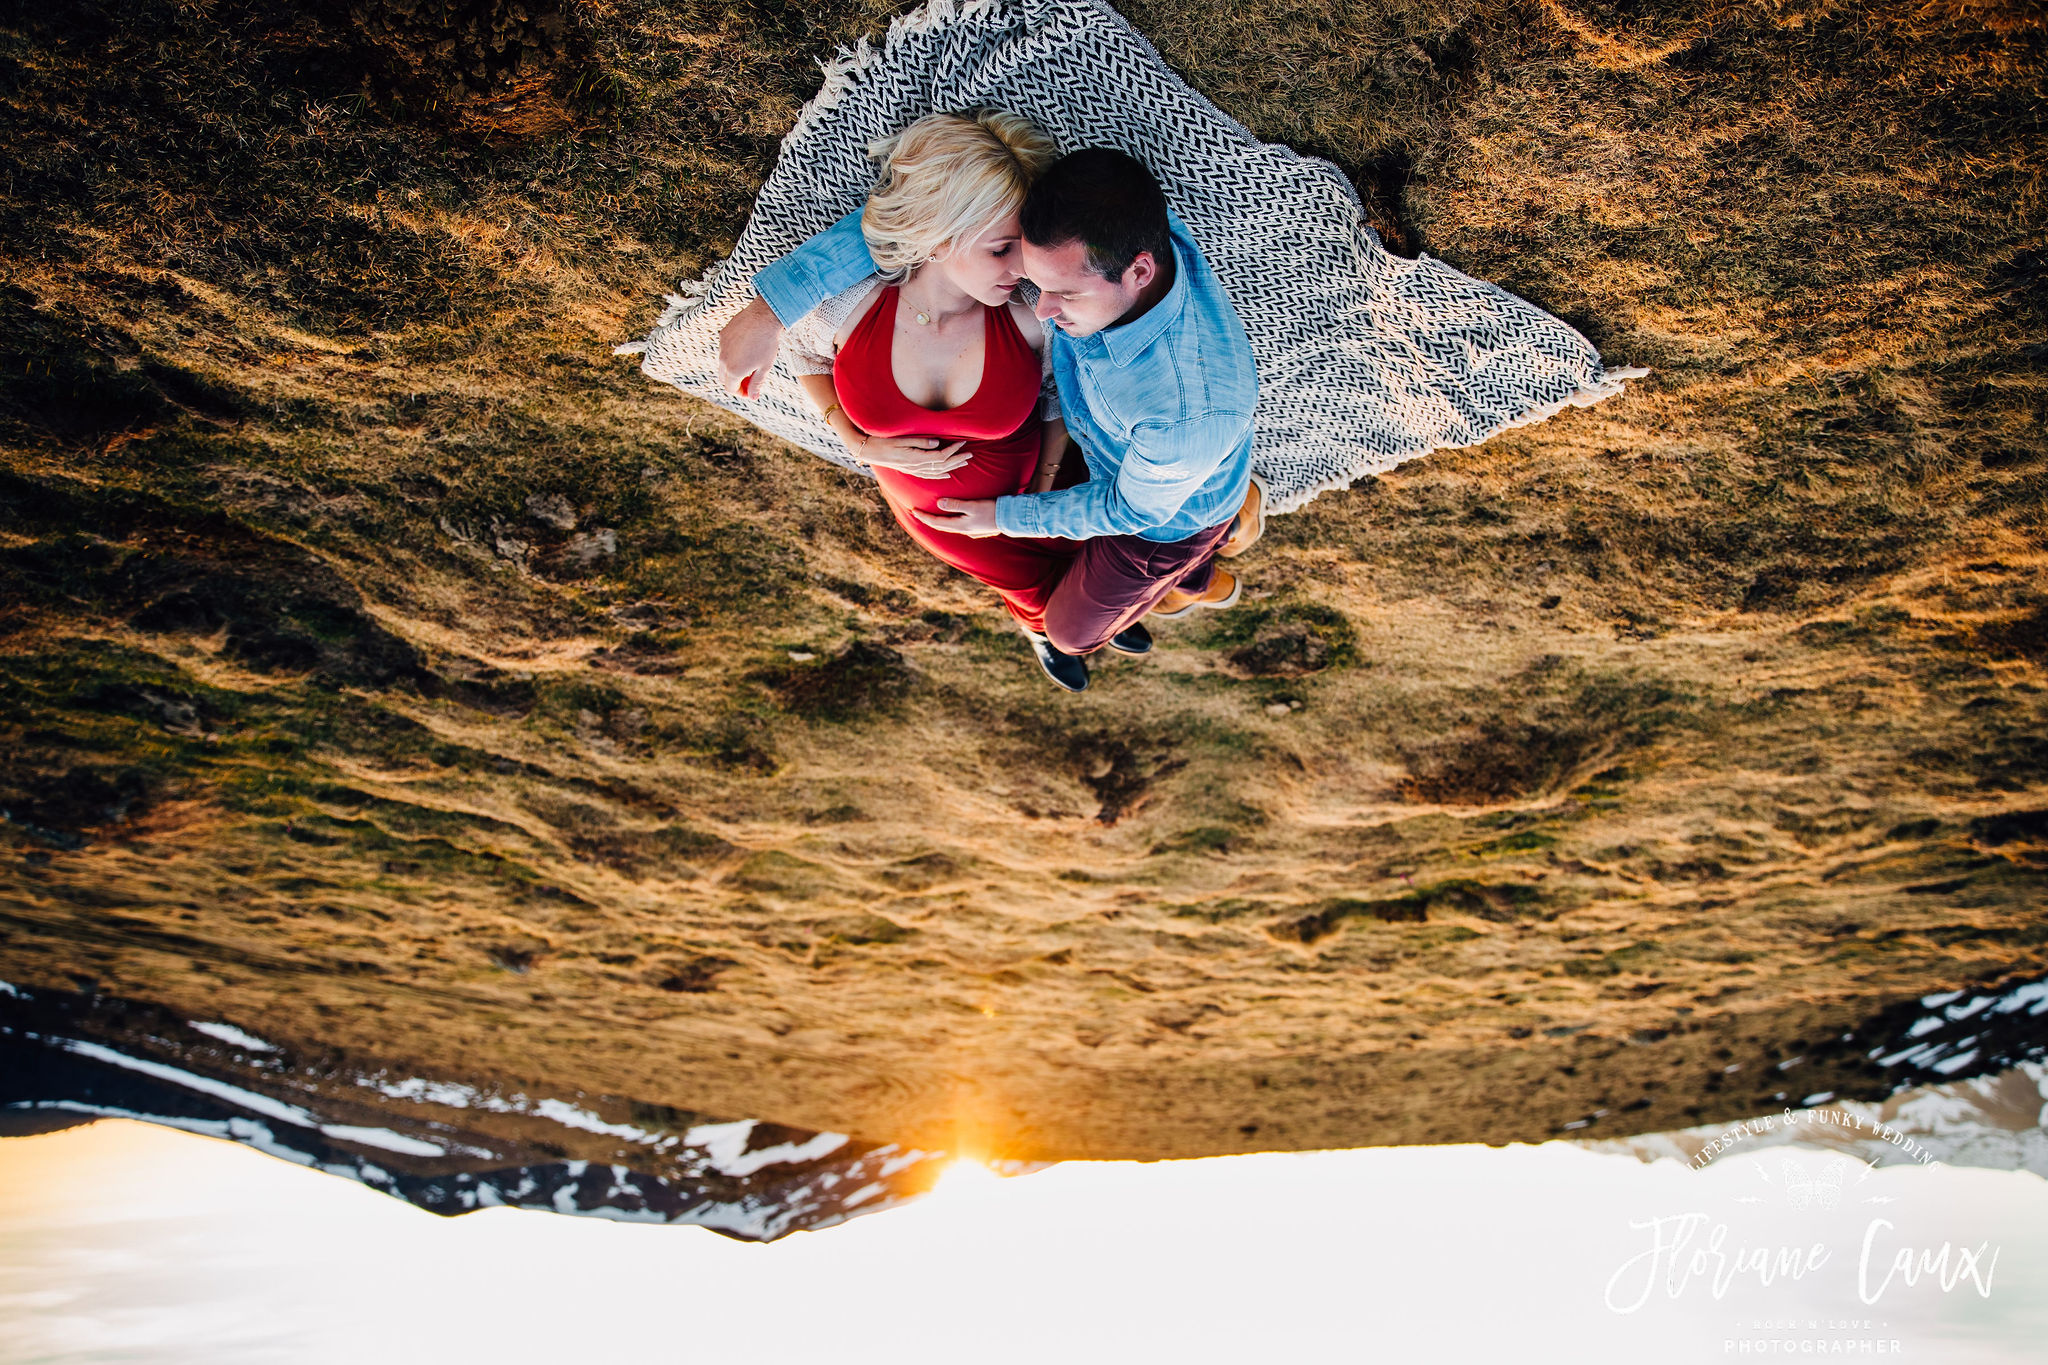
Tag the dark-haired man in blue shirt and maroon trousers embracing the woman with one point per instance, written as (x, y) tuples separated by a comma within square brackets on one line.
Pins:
[(1156, 386)]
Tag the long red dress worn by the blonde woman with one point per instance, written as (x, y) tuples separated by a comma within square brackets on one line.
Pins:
[(1002, 431)]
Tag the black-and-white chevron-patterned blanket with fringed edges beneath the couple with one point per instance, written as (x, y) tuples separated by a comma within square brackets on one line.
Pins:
[(1365, 359)]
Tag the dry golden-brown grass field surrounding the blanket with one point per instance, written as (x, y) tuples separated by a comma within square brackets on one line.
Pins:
[(390, 666)]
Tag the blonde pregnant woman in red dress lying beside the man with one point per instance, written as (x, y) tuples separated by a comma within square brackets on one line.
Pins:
[(931, 371)]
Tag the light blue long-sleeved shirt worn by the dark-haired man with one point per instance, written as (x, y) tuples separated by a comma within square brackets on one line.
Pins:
[(1162, 406)]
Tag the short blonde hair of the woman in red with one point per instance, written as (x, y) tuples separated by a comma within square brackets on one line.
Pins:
[(945, 179)]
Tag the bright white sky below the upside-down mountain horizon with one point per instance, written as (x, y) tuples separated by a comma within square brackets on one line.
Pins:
[(136, 1243)]
